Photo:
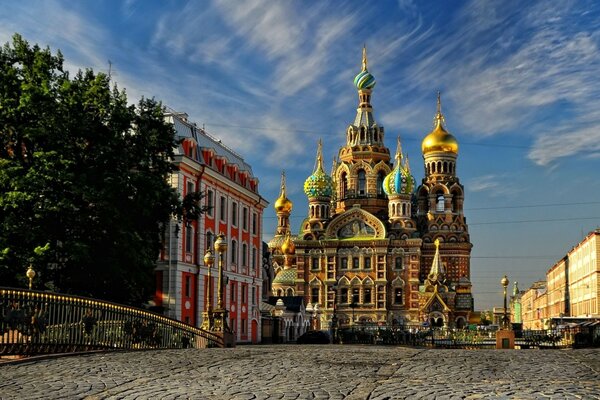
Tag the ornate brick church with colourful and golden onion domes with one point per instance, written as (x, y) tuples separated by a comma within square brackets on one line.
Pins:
[(375, 248)]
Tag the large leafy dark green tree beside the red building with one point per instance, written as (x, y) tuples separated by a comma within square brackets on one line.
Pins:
[(83, 175)]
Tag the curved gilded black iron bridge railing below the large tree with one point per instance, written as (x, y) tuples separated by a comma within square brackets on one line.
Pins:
[(33, 322)]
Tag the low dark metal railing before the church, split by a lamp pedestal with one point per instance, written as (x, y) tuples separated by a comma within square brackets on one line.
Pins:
[(459, 338)]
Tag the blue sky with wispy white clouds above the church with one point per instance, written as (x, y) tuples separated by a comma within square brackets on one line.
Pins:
[(520, 84)]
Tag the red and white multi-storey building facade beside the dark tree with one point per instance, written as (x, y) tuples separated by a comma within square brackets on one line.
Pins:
[(234, 208)]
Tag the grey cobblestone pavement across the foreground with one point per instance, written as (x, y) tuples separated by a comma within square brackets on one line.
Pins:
[(309, 372)]
